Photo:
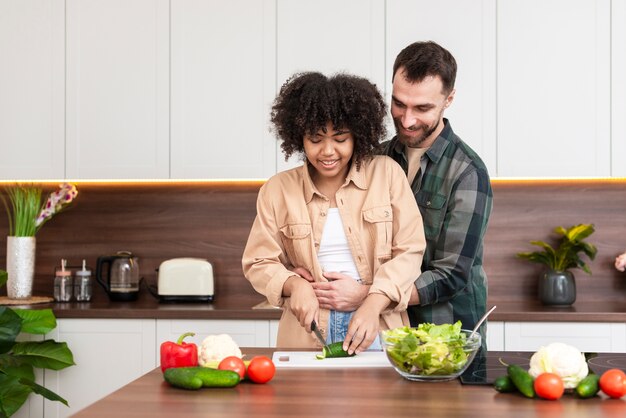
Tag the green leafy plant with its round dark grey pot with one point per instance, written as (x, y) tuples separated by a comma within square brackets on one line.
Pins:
[(557, 286)]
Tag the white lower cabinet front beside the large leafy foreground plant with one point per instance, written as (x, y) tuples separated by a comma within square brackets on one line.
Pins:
[(109, 353)]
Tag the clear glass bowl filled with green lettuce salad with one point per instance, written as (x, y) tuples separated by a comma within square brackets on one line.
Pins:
[(430, 352)]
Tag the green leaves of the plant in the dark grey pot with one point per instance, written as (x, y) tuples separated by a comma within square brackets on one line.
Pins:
[(567, 254)]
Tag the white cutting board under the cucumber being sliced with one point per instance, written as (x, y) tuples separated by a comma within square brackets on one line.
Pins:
[(307, 359)]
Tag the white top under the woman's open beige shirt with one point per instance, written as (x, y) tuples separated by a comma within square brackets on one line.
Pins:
[(334, 253)]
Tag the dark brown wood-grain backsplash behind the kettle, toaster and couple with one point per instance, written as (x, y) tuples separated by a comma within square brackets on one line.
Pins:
[(158, 221)]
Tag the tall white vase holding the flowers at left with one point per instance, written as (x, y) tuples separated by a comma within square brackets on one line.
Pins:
[(20, 266)]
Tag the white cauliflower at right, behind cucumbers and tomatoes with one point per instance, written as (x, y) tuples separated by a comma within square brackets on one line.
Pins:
[(561, 359)]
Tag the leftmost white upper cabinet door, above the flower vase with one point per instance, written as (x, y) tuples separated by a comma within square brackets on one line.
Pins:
[(32, 132)]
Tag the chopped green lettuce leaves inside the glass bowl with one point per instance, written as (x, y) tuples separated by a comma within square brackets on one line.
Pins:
[(428, 349)]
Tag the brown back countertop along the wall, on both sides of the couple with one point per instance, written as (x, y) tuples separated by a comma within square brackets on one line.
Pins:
[(242, 307)]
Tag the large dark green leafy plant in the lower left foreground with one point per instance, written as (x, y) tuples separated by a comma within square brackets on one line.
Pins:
[(18, 359)]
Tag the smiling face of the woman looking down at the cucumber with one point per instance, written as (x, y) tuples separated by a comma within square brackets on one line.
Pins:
[(329, 151)]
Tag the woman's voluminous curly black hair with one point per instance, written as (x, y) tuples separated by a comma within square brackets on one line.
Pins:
[(308, 101)]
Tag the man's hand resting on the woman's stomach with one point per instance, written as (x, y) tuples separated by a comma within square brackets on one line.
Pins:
[(341, 293)]
